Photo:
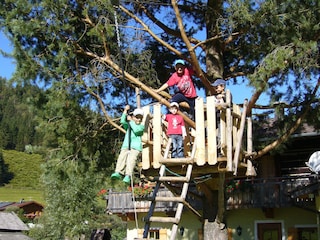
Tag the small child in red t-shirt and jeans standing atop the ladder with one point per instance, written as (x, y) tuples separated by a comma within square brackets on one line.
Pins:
[(176, 130)]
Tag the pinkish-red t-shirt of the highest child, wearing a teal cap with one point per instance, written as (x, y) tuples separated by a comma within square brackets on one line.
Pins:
[(184, 83)]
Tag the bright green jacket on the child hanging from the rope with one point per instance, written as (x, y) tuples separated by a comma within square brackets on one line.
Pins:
[(136, 133)]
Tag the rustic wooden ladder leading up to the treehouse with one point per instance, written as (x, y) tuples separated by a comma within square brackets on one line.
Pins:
[(180, 200)]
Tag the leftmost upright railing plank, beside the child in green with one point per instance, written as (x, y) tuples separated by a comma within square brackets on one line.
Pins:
[(145, 138)]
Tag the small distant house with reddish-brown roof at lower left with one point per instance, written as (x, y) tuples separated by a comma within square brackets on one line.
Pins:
[(31, 209)]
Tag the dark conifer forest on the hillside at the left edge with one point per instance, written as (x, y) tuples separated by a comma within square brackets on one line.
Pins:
[(18, 107)]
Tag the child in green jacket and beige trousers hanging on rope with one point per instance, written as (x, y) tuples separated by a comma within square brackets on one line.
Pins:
[(131, 146)]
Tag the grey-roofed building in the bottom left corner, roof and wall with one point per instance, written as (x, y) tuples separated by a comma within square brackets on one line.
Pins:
[(11, 227)]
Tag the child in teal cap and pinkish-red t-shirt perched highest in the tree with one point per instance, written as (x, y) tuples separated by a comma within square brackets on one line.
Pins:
[(182, 79)]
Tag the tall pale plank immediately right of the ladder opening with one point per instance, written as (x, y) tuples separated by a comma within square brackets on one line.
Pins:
[(200, 133)]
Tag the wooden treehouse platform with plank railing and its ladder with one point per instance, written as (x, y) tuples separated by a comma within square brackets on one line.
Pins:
[(203, 156)]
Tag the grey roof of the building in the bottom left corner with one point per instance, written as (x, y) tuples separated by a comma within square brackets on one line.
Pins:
[(10, 221)]
